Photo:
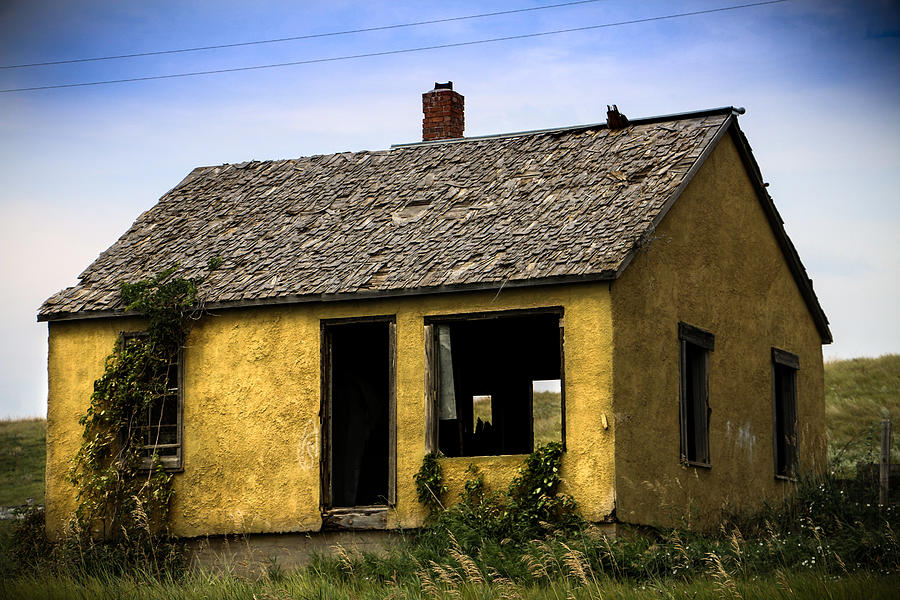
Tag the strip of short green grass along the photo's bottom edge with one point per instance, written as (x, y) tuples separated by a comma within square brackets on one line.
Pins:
[(311, 585)]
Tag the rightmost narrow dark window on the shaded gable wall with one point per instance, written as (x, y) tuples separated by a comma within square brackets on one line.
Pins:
[(784, 383)]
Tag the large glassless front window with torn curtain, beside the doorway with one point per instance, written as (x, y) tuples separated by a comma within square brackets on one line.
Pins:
[(495, 381)]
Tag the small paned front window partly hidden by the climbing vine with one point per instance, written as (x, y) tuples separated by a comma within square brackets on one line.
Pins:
[(160, 425)]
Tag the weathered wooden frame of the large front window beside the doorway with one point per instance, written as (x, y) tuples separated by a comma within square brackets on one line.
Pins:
[(432, 367)]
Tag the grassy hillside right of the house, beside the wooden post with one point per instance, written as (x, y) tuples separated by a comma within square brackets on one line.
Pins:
[(859, 393)]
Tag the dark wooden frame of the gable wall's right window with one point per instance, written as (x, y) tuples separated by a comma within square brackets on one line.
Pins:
[(782, 359)]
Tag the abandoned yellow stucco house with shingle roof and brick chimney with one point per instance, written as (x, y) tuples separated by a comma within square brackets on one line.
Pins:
[(626, 288)]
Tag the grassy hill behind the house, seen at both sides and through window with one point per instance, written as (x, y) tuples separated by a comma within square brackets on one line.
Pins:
[(857, 393)]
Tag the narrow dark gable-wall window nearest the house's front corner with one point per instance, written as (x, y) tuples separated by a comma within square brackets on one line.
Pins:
[(695, 346)]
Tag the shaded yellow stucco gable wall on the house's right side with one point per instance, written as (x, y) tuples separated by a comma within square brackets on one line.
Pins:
[(715, 264)]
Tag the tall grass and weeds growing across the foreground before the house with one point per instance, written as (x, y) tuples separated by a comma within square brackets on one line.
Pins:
[(829, 541)]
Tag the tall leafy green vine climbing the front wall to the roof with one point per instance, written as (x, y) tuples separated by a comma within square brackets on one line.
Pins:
[(118, 495)]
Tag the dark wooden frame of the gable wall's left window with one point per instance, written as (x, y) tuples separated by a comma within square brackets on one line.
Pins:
[(705, 341)]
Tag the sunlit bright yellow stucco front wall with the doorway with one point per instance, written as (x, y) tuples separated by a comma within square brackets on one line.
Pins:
[(252, 397)]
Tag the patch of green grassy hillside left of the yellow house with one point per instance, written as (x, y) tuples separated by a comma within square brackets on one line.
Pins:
[(23, 451)]
